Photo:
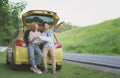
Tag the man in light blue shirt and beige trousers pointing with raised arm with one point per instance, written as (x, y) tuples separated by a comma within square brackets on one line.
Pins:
[(48, 46)]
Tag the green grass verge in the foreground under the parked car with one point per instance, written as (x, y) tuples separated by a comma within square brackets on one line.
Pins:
[(69, 70)]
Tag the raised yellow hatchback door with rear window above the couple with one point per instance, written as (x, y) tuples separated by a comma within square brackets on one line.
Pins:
[(40, 16)]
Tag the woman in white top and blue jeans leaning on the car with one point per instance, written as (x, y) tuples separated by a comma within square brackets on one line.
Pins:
[(33, 47)]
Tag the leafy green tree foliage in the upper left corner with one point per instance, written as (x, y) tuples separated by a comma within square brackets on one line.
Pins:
[(9, 18)]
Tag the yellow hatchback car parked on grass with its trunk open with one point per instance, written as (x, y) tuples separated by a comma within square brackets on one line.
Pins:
[(17, 53)]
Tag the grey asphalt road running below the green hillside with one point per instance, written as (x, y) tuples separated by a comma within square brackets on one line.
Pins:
[(101, 60)]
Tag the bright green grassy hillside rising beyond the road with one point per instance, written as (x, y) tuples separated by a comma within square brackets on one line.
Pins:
[(103, 38)]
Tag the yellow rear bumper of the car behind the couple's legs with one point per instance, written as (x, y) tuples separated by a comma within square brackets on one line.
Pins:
[(22, 57)]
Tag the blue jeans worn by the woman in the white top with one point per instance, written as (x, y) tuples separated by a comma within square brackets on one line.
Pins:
[(32, 48)]
